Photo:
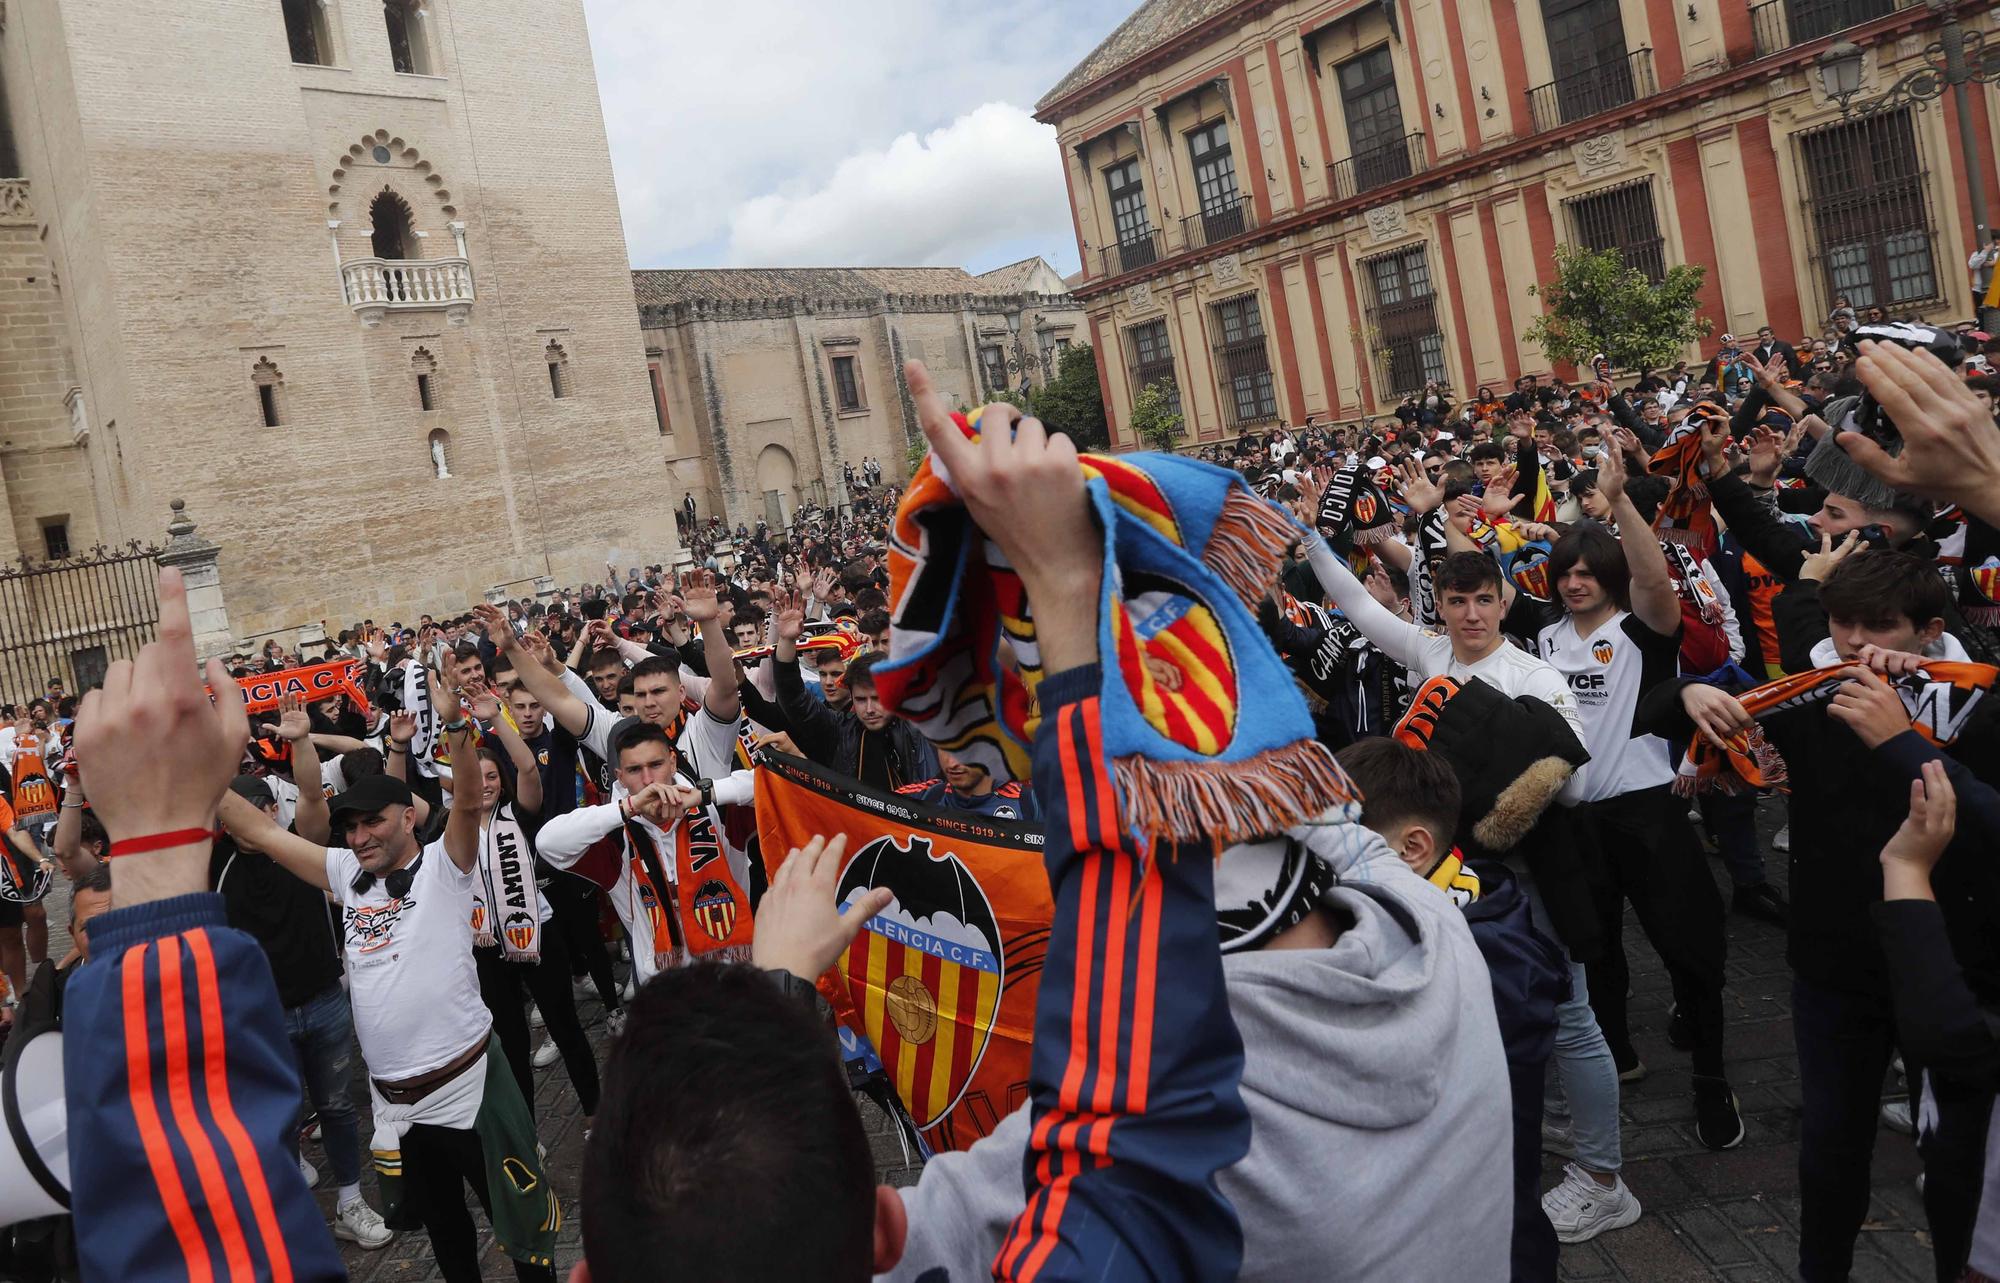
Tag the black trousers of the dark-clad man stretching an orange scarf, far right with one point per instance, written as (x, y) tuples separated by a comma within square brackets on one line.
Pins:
[(1845, 1044)]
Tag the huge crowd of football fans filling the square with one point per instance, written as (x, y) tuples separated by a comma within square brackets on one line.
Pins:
[(1557, 642)]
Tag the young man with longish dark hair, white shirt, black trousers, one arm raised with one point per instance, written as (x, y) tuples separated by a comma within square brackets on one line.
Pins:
[(1619, 637)]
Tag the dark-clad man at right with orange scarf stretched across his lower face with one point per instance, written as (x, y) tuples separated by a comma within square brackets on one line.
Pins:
[(1851, 762)]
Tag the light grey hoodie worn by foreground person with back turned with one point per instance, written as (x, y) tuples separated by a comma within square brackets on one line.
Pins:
[(1381, 1120)]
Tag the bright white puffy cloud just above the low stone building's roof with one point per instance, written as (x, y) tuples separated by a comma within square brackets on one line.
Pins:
[(991, 177)]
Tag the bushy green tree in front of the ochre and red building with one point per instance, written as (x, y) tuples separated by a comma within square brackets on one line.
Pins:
[(1599, 305)]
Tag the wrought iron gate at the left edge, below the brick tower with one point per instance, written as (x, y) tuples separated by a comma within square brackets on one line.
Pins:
[(73, 617)]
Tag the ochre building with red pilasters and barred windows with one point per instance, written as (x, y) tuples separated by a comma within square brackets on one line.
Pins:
[(1299, 209)]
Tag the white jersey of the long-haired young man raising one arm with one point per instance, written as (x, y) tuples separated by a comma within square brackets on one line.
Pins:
[(1609, 672)]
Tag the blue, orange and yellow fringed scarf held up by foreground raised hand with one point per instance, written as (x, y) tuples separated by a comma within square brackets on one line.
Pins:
[(1189, 553)]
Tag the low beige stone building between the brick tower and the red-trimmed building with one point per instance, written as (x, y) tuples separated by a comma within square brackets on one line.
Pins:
[(769, 381)]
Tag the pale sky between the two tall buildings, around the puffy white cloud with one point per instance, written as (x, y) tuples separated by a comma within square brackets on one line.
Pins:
[(713, 107)]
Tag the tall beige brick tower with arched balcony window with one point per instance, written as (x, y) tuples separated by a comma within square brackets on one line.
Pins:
[(347, 277)]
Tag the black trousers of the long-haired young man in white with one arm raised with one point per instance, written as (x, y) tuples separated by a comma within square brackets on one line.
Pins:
[(1643, 848)]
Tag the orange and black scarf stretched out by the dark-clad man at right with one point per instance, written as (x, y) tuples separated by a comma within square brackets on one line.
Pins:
[(1941, 700)]
